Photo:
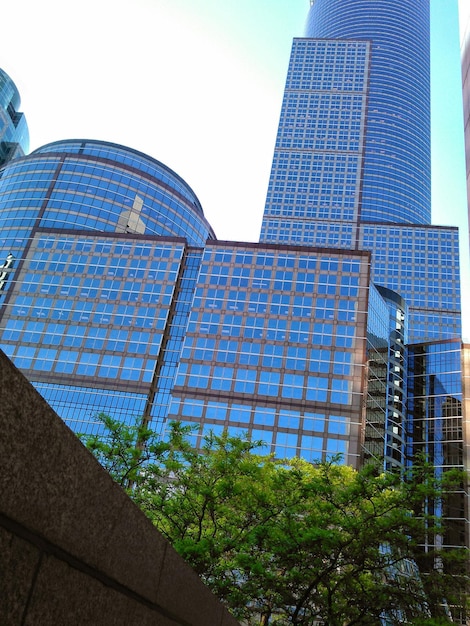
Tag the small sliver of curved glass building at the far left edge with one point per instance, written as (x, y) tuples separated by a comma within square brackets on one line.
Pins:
[(14, 134)]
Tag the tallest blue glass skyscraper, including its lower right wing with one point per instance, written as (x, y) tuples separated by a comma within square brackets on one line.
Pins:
[(351, 166)]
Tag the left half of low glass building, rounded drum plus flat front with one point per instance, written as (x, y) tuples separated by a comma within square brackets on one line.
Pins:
[(96, 247)]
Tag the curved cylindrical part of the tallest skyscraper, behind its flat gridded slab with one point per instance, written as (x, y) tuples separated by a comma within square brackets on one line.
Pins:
[(396, 180)]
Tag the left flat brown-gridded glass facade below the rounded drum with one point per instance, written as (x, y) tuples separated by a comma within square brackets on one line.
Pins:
[(91, 311)]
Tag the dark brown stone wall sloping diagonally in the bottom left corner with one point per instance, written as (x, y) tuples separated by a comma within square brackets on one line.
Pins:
[(73, 548)]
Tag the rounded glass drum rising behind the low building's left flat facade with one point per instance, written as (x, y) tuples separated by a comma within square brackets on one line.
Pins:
[(99, 186)]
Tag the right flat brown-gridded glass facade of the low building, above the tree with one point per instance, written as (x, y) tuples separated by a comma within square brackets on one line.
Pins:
[(275, 346)]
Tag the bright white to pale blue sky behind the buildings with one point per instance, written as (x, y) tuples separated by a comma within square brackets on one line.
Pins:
[(198, 84)]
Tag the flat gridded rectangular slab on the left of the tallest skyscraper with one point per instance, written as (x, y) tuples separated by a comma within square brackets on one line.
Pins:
[(314, 188)]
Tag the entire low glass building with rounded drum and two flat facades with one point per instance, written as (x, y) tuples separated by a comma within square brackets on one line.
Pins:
[(118, 299)]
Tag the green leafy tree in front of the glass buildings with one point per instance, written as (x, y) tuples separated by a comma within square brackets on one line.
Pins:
[(285, 541)]
